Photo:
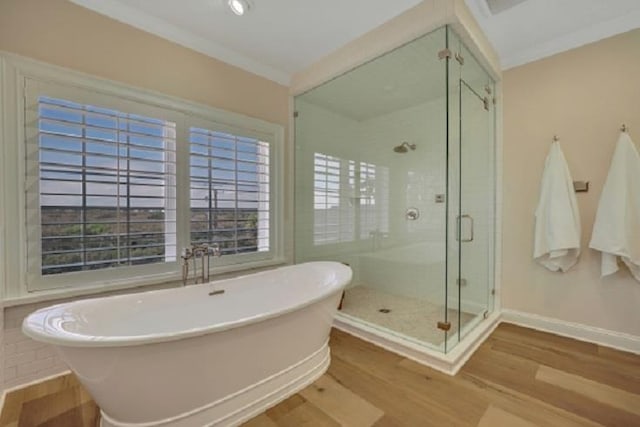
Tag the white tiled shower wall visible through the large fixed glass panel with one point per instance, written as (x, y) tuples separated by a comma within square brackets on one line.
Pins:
[(414, 179)]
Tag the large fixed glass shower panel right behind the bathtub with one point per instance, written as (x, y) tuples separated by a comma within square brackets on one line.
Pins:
[(370, 184)]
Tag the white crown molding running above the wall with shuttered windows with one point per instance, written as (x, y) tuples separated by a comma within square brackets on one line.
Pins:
[(121, 12)]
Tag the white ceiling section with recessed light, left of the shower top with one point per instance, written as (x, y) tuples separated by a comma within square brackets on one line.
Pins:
[(275, 39)]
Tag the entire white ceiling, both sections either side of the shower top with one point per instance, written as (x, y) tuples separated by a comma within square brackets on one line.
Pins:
[(280, 37)]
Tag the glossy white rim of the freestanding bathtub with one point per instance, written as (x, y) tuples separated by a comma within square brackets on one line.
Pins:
[(40, 331)]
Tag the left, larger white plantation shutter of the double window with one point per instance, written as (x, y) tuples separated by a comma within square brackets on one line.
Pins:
[(101, 185)]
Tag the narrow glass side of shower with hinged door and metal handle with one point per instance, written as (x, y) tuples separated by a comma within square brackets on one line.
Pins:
[(471, 165)]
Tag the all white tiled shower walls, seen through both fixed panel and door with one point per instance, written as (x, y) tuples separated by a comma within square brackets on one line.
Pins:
[(410, 260)]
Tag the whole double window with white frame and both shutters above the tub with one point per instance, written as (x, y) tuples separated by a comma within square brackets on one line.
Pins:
[(117, 181)]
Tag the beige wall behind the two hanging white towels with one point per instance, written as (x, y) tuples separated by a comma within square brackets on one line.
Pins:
[(583, 95)]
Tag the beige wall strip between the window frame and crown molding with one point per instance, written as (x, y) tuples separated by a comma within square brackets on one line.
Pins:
[(62, 33)]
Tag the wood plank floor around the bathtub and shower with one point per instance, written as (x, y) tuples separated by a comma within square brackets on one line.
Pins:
[(517, 378)]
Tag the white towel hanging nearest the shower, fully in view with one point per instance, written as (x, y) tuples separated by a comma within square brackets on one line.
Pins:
[(557, 235)]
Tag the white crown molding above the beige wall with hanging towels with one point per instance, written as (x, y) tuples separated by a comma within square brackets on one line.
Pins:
[(573, 40)]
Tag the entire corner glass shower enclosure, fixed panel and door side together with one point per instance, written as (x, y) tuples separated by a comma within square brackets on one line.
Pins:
[(395, 176)]
